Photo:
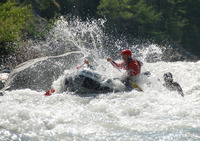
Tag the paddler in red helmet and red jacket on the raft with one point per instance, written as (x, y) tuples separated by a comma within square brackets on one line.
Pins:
[(132, 66)]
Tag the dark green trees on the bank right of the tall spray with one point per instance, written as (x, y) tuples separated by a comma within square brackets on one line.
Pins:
[(174, 20)]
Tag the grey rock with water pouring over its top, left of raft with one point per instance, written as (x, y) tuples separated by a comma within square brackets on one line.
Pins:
[(38, 74)]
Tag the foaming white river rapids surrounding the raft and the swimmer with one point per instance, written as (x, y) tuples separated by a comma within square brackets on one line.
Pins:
[(155, 114)]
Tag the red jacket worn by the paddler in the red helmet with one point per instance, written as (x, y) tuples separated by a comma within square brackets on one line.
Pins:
[(133, 66)]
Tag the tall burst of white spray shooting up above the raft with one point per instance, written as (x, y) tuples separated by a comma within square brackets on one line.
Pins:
[(72, 33)]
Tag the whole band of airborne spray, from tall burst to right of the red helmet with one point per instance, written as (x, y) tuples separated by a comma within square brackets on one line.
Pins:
[(71, 33)]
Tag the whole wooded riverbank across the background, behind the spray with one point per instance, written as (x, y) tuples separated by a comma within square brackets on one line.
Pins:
[(160, 22)]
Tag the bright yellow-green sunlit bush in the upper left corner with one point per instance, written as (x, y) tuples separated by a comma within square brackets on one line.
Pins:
[(14, 19)]
